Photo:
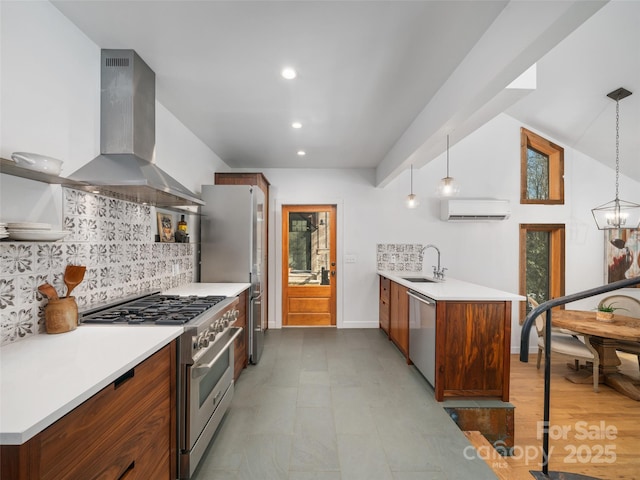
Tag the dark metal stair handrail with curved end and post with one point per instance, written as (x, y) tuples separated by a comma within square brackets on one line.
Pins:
[(524, 348)]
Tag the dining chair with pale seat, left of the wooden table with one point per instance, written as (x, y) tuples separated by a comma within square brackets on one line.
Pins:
[(568, 343)]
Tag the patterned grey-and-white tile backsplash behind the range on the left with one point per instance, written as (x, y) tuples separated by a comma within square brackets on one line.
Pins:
[(113, 238)]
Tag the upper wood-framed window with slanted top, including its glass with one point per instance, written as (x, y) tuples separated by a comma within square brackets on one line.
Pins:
[(541, 170)]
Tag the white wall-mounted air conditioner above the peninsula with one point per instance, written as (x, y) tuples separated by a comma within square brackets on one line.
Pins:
[(474, 209)]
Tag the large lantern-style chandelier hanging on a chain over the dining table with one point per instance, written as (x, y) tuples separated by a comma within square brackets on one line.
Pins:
[(617, 213)]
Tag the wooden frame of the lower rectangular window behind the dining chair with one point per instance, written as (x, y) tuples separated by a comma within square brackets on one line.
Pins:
[(557, 253)]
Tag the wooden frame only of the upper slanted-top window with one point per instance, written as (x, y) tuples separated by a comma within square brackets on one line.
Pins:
[(528, 140)]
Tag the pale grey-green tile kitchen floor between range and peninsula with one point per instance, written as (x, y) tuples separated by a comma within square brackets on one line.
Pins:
[(327, 404)]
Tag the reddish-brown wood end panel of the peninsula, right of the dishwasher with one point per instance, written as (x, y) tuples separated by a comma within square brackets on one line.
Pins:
[(473, 342)]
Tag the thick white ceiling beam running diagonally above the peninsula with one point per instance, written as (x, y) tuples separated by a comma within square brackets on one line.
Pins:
[(477, 90)]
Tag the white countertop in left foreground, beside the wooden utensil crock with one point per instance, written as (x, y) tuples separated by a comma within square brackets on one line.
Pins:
[(44, 377)]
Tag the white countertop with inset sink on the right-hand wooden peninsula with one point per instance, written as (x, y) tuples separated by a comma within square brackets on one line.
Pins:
[(450, 288)]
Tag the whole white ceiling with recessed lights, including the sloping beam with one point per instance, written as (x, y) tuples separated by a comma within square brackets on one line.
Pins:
[(380, 83)]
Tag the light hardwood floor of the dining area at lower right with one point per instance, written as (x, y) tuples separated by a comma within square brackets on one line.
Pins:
[(595, 434)]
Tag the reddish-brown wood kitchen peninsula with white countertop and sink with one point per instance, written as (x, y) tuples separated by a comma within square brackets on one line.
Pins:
[(470, 354)]
